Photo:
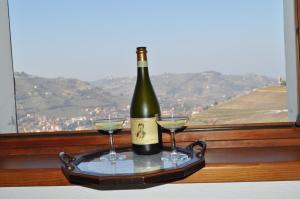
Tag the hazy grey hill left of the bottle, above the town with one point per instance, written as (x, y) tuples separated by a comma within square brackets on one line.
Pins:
[(59, 97)]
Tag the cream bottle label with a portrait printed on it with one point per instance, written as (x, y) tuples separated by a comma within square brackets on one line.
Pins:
[(144, 131)]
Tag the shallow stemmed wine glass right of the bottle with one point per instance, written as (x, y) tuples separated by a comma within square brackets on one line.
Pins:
[(173, 124)]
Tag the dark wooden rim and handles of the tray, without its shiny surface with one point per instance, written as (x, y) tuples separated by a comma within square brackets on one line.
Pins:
[(77, 176)]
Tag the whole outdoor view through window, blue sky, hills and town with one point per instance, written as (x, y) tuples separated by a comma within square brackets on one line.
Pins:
[(222, 62)]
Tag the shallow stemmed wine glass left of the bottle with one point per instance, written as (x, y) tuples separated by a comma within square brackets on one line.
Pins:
[(111, 125)]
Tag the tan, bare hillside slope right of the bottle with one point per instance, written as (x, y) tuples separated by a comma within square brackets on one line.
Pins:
[(267, 104)]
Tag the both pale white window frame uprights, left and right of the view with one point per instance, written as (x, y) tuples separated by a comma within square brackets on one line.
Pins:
[(8, 119)]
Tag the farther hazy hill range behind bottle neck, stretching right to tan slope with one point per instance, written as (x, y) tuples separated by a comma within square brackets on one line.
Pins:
[(189, 90)]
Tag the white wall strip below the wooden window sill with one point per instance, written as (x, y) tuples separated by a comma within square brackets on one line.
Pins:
[(259, 190)]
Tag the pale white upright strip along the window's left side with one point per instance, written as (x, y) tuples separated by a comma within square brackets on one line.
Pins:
[(7, 100)]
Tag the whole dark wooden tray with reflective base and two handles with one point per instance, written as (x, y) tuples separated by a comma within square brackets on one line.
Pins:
[(136, 171)]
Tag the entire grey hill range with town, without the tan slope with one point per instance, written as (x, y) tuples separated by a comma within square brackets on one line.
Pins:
[(66, 104)]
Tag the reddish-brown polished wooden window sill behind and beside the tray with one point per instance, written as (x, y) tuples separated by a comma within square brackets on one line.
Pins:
[(232, 156)]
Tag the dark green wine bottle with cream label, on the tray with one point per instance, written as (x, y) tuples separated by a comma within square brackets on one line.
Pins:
[(146, 135)]
